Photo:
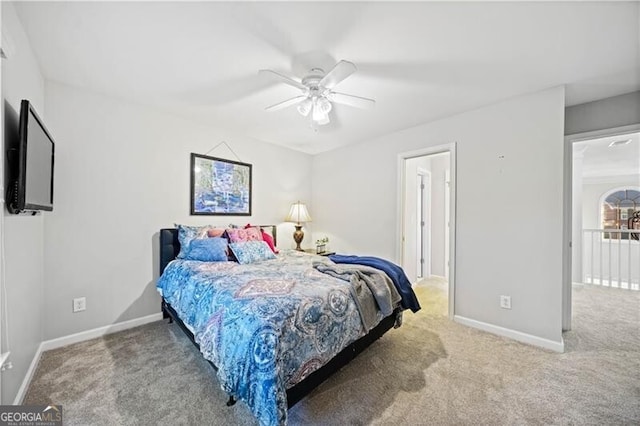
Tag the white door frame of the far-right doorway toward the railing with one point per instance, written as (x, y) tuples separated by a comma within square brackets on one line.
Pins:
[(569, 140)]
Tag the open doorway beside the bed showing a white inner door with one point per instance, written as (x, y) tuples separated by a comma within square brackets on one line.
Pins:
[(426, 222)]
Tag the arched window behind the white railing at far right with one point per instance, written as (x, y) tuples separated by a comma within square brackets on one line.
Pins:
[(621, 210)]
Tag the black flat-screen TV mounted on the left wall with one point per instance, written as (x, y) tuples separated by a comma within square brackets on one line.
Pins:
[(31, 165)]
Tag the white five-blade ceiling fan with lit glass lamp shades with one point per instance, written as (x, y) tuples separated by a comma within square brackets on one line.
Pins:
[(317, 96)]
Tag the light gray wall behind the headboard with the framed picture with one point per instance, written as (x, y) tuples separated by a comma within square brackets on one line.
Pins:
[(122, 173)]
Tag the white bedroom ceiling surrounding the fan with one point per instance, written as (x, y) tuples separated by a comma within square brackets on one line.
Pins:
[(419, 60)]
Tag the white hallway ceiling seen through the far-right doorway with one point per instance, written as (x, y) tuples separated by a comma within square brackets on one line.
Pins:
[(599, 160)]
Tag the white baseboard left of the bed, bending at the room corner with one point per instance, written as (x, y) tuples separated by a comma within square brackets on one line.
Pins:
[(76, 338)]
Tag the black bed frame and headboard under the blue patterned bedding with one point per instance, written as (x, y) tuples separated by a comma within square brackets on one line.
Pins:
[(169, 249)]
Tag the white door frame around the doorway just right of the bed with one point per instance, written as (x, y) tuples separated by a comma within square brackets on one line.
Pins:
[(400, 203)]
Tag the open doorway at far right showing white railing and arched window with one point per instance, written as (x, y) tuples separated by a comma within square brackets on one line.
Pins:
[(603, 227)]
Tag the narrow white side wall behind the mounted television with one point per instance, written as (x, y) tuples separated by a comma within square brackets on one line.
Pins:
[(23, 235)]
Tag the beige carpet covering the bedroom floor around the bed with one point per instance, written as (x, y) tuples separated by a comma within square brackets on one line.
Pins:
[(431, 371)]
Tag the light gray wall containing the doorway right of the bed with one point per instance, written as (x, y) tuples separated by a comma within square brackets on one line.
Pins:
[(512, 250)]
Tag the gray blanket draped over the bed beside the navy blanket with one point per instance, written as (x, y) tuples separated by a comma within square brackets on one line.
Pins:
[(366, 282)]
